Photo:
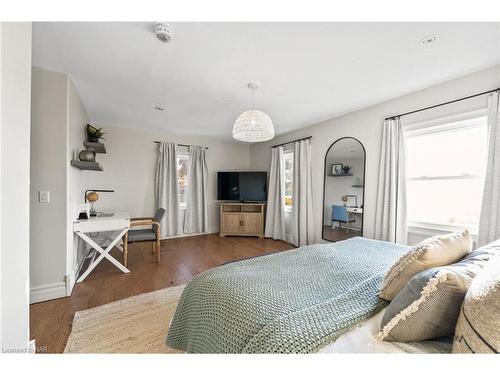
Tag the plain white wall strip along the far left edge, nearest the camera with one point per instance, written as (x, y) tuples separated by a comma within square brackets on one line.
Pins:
[(15, 93)]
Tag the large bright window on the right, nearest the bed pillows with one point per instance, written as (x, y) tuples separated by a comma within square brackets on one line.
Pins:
[(445, 174)]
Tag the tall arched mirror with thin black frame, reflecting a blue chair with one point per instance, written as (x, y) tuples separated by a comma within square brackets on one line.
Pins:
[(343, 191)]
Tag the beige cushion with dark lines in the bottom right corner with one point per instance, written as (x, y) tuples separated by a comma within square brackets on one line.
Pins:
[(478, 327)]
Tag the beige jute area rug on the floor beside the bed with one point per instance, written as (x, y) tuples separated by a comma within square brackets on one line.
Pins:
[(137, 324)]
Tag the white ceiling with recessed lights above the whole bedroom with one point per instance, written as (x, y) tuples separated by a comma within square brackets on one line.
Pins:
[(308, 72)]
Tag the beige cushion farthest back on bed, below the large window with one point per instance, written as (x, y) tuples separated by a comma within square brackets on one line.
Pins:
[(435, 251)]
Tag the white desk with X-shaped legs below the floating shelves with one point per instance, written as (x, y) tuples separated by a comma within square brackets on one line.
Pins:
[(118, 222)]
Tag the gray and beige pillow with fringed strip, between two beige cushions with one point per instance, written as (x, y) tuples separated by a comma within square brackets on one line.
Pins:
[(429, 305)]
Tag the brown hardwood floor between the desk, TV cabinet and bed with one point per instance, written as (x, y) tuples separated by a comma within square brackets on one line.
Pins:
[(181, 260)]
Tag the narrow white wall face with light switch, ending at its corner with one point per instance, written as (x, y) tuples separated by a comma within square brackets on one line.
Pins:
[(48, 172)]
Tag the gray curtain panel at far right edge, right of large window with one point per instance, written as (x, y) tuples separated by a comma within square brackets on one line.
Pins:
[(489, 221)]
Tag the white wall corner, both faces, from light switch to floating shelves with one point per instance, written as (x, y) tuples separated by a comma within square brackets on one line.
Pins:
[(58, 120)]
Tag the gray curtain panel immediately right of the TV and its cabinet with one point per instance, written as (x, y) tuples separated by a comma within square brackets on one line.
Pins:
[(275, 216)]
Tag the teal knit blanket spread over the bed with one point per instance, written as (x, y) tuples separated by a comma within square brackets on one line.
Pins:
[(295, 301)]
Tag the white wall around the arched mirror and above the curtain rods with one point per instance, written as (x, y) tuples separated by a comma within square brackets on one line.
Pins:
[(366, 126)]
